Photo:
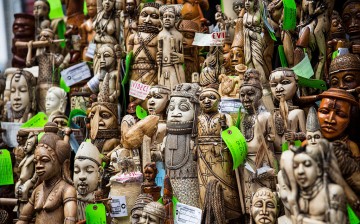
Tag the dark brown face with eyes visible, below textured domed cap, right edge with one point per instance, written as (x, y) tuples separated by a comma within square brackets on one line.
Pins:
[(345, 80)]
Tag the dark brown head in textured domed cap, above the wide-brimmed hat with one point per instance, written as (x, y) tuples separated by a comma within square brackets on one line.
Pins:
[(345, 72)]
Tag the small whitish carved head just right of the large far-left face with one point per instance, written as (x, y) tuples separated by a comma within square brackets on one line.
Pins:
[(56, 100)]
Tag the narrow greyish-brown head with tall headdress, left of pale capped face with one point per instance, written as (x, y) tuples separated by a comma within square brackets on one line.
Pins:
[(251, 91)]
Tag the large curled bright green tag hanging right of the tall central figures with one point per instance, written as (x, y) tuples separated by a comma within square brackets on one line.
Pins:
[(236, 143)]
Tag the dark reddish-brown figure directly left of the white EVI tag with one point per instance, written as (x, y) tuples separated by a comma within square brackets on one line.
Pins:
[(188, 29)]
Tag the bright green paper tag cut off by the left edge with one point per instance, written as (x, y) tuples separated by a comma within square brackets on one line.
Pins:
[(6, 168)]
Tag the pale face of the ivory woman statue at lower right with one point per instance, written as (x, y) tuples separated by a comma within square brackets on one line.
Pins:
[(306, 170)]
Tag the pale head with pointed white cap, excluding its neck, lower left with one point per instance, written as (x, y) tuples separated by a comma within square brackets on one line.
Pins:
[(87, 169)]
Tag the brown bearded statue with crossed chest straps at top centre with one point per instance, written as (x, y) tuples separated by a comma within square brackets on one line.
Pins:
[(144, 45)]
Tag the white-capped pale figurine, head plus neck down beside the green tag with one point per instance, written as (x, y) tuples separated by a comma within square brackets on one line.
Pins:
[(87, 175)]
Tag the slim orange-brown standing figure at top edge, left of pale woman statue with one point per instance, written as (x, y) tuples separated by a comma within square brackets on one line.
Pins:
[(87, 31)]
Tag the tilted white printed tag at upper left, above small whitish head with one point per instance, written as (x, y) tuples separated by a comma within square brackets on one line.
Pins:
[(76, 73)]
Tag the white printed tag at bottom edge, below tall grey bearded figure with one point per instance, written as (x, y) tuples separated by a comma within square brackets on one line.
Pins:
[(186, 214)]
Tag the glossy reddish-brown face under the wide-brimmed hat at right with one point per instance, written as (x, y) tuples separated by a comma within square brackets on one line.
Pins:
[(334, 117)]
